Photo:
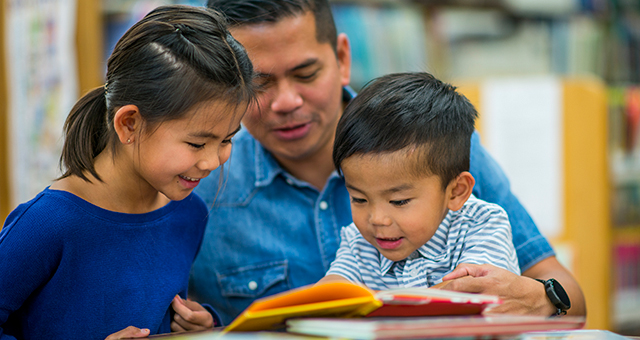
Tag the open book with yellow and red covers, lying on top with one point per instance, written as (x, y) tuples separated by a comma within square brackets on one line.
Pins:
[(341, 299)]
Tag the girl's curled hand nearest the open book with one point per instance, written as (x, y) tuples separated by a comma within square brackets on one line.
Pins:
[(189, 316)]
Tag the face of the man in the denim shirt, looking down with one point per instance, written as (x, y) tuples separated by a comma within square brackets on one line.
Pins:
[(302, 83)]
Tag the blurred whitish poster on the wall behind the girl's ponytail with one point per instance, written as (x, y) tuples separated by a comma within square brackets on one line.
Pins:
[(42, 87)]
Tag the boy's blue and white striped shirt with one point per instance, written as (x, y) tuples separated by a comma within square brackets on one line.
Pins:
[(478, 233)]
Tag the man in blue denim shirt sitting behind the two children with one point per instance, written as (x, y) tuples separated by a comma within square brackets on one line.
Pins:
[(277, 216)]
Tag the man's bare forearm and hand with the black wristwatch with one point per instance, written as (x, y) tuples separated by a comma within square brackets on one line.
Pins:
[(520, 294)]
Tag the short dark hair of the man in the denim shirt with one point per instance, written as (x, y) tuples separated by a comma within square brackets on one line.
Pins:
[(245, 12)]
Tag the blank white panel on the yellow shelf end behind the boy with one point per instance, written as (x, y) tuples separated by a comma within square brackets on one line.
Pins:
[(522, 129)]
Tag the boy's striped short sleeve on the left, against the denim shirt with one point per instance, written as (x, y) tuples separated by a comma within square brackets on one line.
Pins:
[(347, 261)]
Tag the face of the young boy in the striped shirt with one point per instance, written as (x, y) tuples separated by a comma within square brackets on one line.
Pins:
[(394, 210)]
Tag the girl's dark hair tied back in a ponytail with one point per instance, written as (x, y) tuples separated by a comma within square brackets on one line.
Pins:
[(174, 58)]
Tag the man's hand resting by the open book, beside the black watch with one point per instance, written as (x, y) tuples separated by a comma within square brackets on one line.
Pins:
[(519, 294)]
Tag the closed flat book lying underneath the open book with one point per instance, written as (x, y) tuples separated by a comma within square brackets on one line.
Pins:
[(430, 327)]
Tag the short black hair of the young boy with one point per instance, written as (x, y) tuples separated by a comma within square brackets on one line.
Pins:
[(409, 111)]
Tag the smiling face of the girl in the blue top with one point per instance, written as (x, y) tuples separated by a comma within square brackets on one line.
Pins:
[(175, 155)]
